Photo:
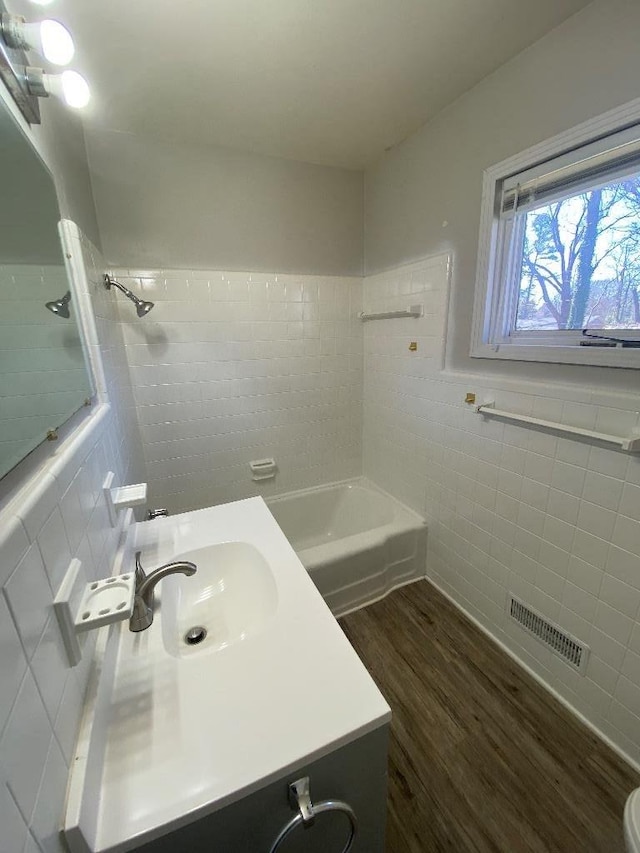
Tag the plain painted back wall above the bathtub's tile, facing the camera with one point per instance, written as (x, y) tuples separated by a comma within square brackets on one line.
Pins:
[(193, 206)]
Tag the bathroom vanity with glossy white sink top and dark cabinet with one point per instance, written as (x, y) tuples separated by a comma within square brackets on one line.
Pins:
[(193, 746)]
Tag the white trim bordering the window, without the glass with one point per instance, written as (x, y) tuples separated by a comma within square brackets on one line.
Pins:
[(489, 295)]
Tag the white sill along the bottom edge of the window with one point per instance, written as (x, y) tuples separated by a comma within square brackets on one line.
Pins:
[(594, 356)]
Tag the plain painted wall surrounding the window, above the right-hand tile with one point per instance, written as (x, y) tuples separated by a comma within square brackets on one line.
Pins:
[(584, 67)]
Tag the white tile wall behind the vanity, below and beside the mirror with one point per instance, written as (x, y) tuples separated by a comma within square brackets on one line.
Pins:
[(61, 515)]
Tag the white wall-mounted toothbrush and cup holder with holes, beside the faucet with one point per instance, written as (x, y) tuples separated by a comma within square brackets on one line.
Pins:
[(82, 605)]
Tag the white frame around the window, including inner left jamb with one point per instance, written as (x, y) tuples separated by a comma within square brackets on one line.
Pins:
[(494, 303)]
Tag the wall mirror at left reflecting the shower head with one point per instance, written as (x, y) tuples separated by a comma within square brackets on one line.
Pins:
[(44, 378)]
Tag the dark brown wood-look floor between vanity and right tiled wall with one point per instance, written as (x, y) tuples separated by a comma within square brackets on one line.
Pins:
[(481, 757)]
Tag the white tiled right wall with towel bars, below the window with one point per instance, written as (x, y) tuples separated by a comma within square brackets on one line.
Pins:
[(553, 520)]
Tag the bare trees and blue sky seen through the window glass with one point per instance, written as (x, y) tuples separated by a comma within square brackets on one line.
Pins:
[(581, 261)]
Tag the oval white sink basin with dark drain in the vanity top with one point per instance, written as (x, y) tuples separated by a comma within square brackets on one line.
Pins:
[(232, 597)]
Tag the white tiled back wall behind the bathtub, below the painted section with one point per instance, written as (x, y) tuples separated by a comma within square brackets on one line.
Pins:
[(230, 367)]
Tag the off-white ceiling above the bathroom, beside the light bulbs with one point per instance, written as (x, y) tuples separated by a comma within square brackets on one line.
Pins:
[(324, 81)]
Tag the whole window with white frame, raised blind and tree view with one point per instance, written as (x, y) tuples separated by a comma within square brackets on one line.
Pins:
[(559, 257)]
